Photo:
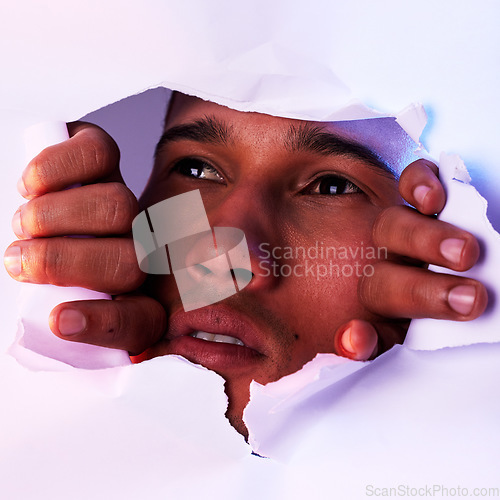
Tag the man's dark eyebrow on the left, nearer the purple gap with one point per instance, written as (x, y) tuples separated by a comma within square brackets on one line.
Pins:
[(208, 130)]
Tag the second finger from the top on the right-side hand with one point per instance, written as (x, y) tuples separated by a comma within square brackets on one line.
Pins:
[(403, 231)]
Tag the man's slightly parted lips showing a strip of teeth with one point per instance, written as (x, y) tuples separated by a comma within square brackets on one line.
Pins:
[(217, 356)]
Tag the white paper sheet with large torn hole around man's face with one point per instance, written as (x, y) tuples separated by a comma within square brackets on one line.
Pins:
[(156, 430)]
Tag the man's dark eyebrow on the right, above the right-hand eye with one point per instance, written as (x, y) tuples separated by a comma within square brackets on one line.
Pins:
[(310, 138)]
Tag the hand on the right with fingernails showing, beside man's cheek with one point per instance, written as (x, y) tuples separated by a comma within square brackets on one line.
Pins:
[(401, 287)]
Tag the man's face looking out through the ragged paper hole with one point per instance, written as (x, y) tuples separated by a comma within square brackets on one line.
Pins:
[(291, 187)]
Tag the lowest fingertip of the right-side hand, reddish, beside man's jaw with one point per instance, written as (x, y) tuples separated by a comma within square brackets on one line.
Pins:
[(356, 340)]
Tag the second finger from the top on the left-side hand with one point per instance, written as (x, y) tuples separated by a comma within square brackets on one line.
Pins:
[(97, 209)]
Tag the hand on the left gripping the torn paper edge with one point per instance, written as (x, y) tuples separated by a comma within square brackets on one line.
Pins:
[(102, 207)]
